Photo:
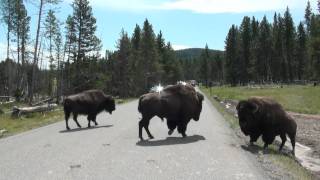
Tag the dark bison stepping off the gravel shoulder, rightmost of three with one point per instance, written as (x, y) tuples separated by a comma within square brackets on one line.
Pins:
[(264, 116)]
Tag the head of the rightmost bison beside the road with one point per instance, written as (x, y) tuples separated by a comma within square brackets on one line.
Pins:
[(246, 114)]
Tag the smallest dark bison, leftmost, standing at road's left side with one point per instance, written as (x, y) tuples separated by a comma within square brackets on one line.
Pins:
[(90, 103)]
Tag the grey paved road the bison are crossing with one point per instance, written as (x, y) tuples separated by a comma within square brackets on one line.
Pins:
[(112, 151)]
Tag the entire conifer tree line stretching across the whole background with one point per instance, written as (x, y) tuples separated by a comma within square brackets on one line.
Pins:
[(254, 52)]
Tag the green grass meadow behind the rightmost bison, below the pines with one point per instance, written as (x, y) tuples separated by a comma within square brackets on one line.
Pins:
[(295, 98)]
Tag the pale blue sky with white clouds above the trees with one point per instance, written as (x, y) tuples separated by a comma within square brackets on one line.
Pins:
[(185, 23)]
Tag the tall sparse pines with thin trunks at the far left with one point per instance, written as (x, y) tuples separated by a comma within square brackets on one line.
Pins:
[(25, 72)]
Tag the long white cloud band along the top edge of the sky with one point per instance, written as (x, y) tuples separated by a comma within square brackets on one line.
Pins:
[(200, 6)]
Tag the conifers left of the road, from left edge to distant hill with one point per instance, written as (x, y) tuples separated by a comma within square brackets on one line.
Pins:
[(73, 55)]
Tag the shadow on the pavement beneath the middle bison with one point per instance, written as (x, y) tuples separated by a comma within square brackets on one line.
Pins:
[(172, 141)]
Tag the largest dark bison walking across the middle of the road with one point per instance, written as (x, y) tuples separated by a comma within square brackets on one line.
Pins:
[(177, 103)]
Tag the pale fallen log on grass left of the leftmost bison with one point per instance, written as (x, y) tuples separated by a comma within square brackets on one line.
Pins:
[(18, 111)]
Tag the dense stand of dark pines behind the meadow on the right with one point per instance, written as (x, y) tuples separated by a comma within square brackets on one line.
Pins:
[(263, 52)]
